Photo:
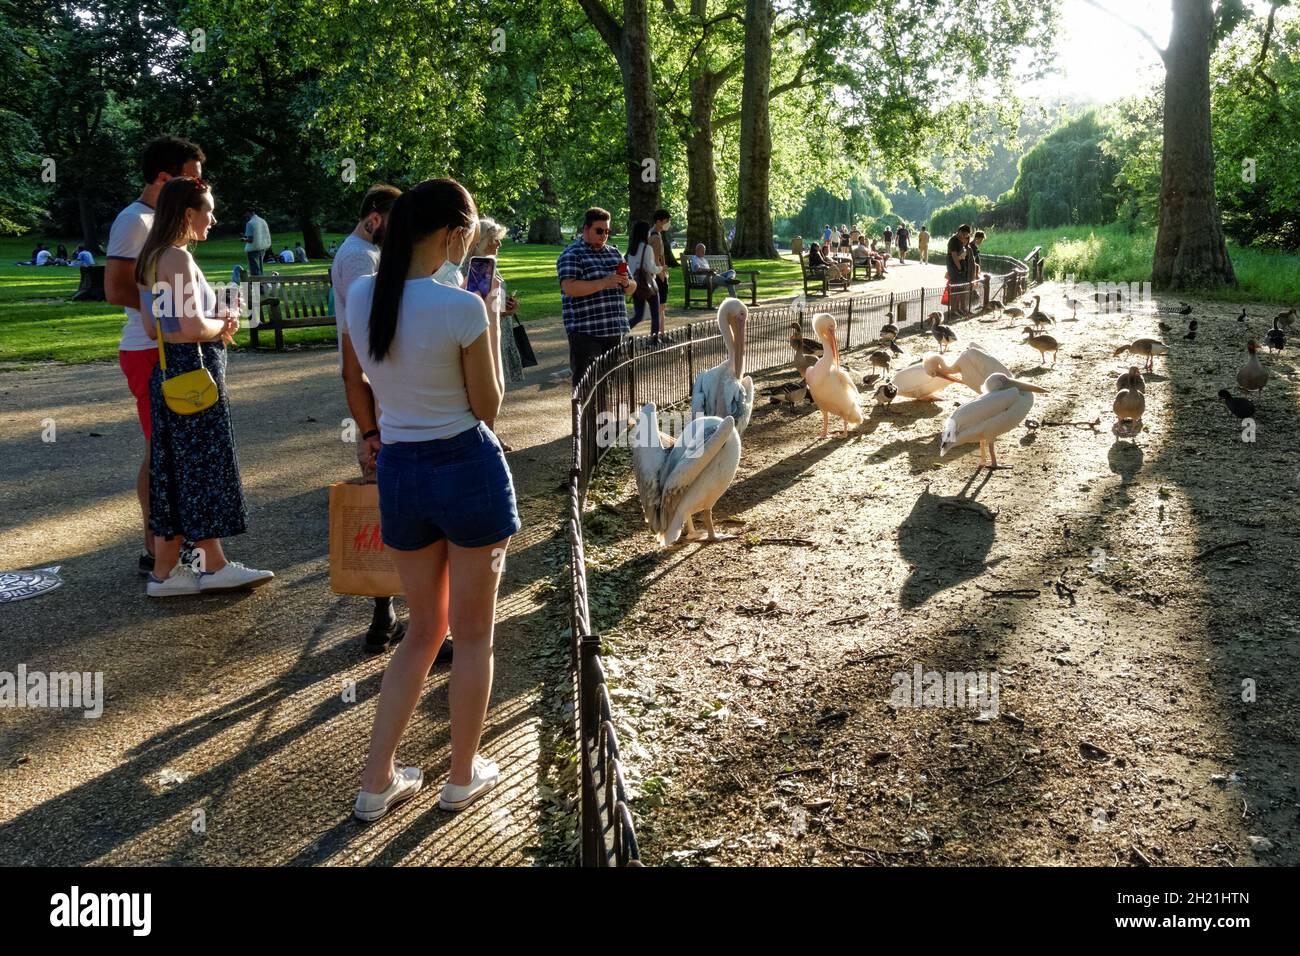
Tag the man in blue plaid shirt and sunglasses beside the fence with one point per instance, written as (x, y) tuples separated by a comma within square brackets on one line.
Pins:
[(593, 293)]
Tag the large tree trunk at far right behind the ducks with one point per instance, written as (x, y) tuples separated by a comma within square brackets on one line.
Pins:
[(1190, 249)]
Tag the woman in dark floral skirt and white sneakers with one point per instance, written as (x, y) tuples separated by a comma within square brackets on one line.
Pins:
[(196, 492)]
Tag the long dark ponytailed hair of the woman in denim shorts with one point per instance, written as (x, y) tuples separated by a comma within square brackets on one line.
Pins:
[(417, 214)]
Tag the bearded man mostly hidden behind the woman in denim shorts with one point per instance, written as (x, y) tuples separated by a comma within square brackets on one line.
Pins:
[(358, 257)]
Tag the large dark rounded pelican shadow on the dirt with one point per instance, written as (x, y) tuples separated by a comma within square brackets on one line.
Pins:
[(946, 540)]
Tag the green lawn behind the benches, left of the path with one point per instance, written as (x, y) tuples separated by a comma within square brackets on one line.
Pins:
[(40, 325)]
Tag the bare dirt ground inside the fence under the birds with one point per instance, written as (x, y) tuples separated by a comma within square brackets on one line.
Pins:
[(1136, 602)]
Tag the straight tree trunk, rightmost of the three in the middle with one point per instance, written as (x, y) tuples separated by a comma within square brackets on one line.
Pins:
[(753, 209)]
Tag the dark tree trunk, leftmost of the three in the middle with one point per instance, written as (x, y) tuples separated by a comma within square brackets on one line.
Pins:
[(642, 111)]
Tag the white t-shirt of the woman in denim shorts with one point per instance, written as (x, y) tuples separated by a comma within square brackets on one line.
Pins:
[(421, 386)]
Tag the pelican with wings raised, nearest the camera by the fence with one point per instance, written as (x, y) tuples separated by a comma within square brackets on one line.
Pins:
[(678, 479)]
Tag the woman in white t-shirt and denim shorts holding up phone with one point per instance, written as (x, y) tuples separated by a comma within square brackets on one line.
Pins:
[(431, 352)]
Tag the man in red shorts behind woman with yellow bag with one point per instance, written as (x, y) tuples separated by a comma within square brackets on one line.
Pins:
[(138, 353)]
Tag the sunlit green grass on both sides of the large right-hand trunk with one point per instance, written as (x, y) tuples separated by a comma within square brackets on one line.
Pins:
[(1112, 254)]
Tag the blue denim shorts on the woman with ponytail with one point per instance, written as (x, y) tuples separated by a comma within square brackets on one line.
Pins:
[(456, 488)]
